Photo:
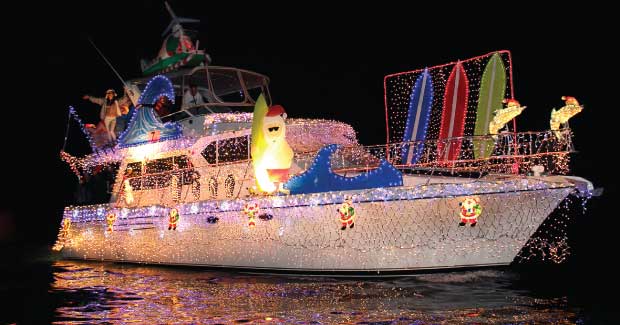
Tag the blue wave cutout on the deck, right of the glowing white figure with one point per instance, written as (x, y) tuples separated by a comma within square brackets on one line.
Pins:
[(320, 177)]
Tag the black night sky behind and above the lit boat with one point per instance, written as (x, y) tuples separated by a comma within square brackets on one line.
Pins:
[(323, 62)]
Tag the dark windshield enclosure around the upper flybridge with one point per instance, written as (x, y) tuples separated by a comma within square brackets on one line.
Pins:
[(211, 89)]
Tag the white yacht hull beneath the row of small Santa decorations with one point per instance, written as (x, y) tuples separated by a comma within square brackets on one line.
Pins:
[(400, 234)]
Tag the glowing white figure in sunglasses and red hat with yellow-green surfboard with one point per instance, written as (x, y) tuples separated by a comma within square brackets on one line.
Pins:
[(271, 154)]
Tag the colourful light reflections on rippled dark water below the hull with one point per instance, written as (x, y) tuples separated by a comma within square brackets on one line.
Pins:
[(103, 293)]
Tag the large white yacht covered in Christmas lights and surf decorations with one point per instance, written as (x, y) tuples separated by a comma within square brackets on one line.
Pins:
[(190, 185)]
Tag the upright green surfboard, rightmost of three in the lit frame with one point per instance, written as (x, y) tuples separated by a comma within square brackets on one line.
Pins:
[(492, 90)]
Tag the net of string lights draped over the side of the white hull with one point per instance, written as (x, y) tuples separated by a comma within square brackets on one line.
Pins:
[(513, 210)]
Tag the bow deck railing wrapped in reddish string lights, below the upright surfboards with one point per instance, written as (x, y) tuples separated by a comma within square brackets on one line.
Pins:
[(505, 153)]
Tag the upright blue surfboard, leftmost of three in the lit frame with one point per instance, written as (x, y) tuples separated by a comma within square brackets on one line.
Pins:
[(420, 105)]
